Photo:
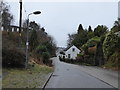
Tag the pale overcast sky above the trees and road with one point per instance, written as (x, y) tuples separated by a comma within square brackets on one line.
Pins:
[(62, 18)]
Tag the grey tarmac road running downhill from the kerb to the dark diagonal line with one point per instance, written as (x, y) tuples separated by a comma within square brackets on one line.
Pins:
[(73, 76)]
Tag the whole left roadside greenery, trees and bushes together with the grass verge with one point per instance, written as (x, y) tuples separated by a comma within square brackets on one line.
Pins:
[(41, 48)]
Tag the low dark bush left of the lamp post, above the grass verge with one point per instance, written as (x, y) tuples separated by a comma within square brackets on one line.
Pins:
[(13, 58)]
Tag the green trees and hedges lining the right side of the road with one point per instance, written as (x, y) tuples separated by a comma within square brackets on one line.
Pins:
[(99, 46)]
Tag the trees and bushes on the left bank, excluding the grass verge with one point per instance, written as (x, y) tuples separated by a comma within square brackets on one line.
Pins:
[(41, 45)]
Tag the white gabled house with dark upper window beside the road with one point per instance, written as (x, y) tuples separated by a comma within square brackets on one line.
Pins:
[(72, 52)]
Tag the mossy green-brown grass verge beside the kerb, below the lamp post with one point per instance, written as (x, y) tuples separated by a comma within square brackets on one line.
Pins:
[(34, 77)]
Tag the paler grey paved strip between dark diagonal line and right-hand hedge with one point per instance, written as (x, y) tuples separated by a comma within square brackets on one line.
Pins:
[(105, 75)]
